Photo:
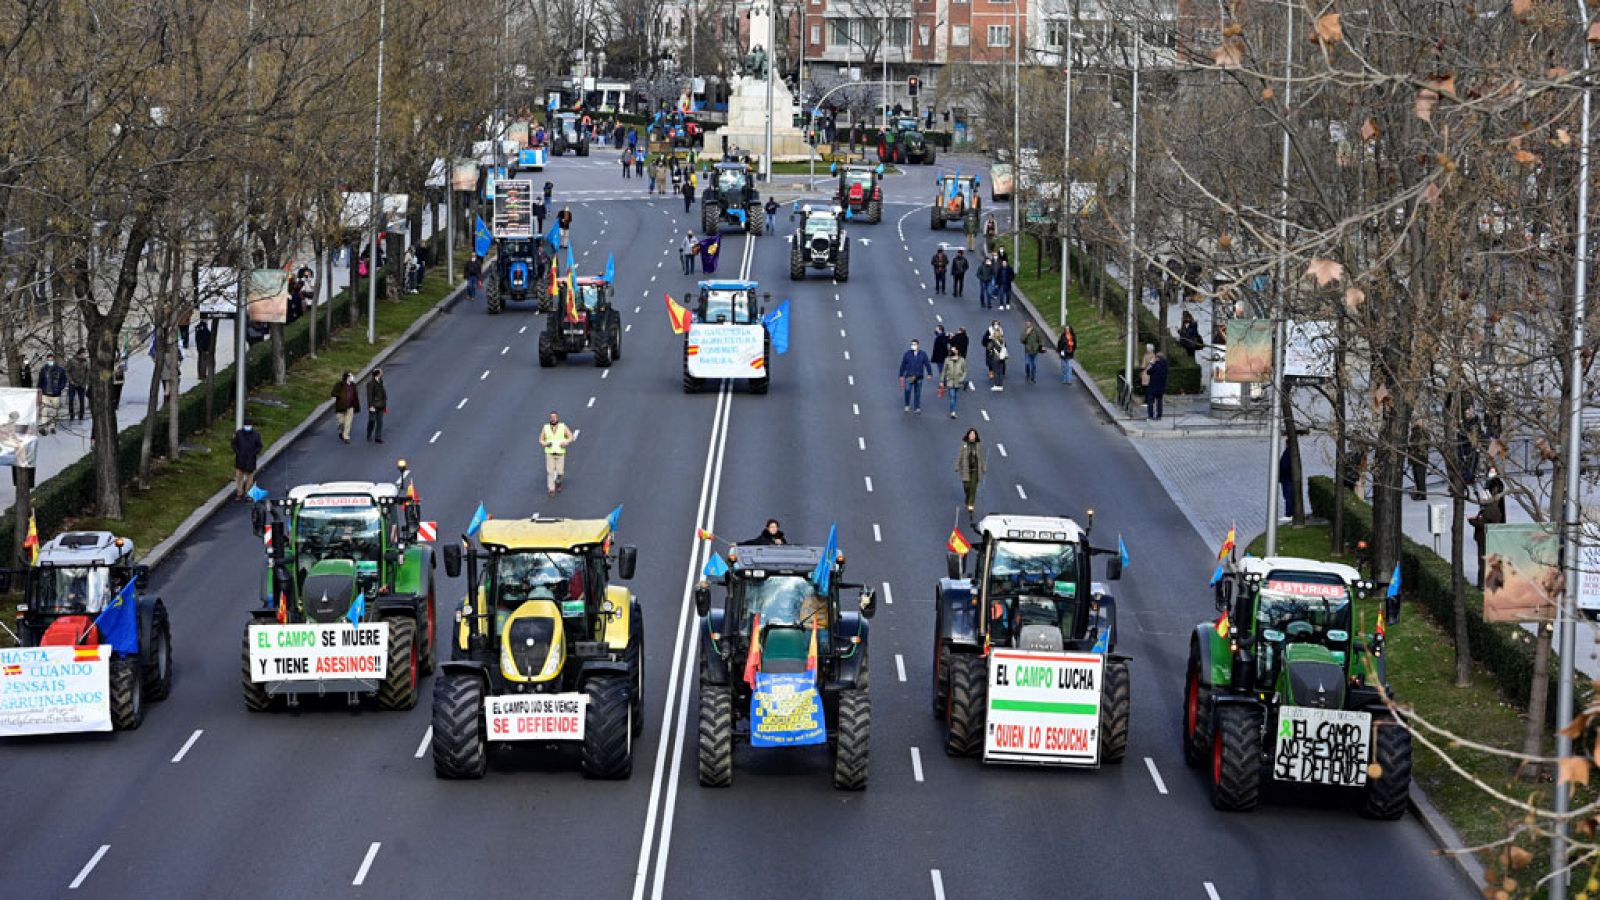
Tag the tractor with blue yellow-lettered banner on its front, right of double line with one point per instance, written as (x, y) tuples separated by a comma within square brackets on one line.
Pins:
[(785, 661)]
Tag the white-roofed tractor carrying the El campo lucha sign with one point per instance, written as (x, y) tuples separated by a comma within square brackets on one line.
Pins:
[(1025, 651)]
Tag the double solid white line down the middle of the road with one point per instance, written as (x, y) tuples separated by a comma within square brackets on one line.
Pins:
[(686, 653)]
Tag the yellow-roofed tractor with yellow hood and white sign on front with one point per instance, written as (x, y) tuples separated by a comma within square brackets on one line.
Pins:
[(546, 649)]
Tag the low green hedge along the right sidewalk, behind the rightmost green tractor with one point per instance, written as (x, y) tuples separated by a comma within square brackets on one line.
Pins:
[(1506, 651)]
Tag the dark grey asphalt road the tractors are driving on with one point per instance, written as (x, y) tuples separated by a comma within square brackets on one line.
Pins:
[(207, 800)]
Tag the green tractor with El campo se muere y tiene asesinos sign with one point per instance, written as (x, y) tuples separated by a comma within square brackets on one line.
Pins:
[(346, 597)]
